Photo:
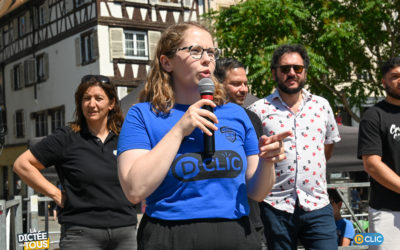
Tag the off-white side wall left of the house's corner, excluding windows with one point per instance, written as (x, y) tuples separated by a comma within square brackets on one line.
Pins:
[(57, 90)]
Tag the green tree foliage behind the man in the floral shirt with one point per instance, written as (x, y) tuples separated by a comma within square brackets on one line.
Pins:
[(347, 41)]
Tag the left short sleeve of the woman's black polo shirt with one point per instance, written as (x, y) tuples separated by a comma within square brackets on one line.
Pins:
[(49, 151)]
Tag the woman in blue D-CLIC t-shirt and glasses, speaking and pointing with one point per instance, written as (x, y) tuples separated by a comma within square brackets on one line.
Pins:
[(194, 201)]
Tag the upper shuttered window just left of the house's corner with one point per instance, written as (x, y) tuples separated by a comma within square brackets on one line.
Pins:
[(86, 48)]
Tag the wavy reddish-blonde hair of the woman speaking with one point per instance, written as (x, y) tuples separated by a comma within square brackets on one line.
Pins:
[(158, 88)]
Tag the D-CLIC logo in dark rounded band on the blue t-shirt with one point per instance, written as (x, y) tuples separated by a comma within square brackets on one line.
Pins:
[(193, 167)]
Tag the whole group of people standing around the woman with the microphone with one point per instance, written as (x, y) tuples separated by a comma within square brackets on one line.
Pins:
[(265, 185)]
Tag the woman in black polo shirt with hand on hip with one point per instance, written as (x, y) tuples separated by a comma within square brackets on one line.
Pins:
[(94, 212)]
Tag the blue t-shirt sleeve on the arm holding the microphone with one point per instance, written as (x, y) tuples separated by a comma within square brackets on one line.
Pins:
[(133, 133)]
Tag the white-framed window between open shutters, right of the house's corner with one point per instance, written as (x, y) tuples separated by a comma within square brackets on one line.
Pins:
[(136, 45)]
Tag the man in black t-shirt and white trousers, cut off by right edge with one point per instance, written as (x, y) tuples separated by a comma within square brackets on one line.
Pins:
[(379, 148)]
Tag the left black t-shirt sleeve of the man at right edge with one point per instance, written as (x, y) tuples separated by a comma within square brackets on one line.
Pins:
[(369, 138)]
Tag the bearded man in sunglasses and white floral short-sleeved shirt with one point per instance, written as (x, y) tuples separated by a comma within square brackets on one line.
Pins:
[(298, 206)]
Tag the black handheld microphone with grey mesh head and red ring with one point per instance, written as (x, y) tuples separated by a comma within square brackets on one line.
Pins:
[(206, 89)]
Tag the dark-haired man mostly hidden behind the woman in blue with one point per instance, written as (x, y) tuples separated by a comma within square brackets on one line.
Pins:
[(232, 74)]
